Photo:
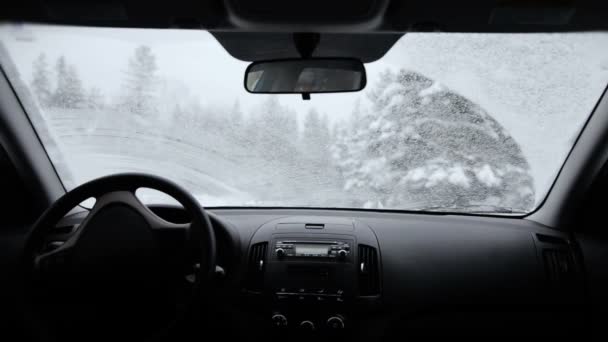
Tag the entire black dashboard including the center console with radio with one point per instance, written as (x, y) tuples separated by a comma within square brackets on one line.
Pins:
[(363, 274)]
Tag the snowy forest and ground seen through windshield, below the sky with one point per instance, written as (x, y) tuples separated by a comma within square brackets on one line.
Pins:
[(414, 144)]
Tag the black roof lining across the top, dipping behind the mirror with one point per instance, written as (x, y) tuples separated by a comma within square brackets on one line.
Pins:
[(260, 29)]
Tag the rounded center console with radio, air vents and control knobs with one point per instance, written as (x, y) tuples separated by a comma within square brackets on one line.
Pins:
[(312, 275)]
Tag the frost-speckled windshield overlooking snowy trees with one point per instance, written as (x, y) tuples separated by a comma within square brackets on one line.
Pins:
[(448, 122)]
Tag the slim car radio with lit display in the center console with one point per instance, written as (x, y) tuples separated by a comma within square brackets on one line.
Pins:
[(312, 249)]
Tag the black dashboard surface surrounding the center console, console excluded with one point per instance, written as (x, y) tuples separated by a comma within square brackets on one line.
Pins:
[(465, 267)]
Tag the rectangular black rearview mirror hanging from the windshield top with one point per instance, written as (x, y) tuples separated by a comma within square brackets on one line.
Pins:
[(305, 76)]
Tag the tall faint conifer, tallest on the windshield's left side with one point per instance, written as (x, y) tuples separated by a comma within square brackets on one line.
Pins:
[(140, 82)]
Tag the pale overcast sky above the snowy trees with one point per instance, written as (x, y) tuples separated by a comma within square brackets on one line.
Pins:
[(540, 87)]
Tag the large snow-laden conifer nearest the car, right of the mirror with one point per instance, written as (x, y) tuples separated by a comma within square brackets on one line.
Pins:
[(426, 145)]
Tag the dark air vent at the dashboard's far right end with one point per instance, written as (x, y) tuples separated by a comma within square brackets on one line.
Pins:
[(560, 267)]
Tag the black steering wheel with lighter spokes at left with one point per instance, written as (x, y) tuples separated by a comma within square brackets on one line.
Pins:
[(123, 265)]
